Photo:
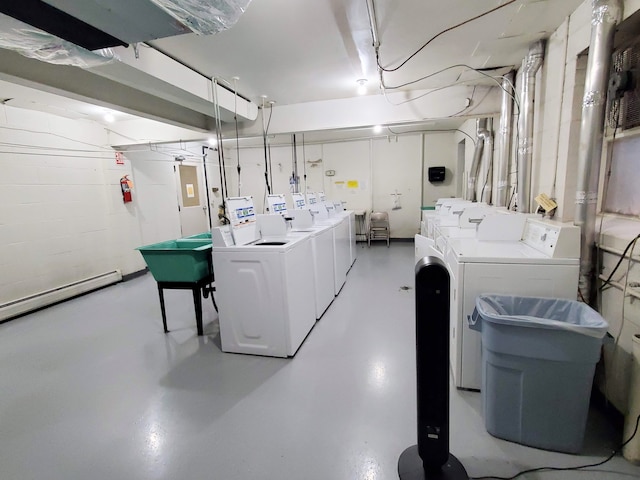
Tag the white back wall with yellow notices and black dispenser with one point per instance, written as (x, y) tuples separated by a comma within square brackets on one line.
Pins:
[(367, 173)]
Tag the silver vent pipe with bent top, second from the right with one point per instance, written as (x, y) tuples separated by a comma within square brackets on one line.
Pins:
[(525, 126)]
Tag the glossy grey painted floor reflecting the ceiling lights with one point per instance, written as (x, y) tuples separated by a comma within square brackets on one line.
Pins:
[(93, 389)]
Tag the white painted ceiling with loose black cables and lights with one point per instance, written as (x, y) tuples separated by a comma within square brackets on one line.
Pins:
[(297, 51)]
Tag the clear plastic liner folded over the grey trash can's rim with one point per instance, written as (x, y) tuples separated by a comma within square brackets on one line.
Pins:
[(539, 312)]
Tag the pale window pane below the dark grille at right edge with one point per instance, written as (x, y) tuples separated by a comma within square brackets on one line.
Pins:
[(623, 190)]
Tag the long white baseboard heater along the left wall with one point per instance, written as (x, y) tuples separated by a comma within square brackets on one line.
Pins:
[(48, 297)]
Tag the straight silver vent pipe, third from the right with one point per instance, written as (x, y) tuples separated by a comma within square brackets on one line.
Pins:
[(503, 144)]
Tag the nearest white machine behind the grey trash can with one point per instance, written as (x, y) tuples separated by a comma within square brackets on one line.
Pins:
[(545, 262)]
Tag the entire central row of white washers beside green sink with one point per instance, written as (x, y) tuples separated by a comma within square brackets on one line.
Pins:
[(274, 281)]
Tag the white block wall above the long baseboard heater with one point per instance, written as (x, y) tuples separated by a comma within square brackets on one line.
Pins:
[(62, 218)]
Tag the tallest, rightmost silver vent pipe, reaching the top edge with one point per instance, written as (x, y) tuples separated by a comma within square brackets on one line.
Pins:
[(606, 14)]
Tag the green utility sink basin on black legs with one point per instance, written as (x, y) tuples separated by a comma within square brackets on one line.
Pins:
[(182, 260)]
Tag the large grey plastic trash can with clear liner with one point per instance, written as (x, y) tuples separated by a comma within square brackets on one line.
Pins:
[(538, 360)]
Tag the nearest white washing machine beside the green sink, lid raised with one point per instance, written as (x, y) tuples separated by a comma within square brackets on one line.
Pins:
[(265, 289)]
